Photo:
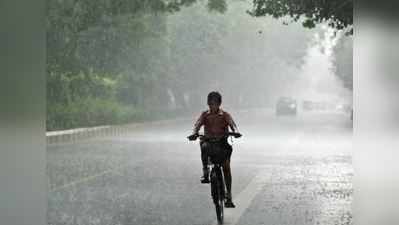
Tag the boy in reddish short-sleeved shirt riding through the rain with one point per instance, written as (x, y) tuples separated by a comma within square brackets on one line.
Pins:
[(216, 123)]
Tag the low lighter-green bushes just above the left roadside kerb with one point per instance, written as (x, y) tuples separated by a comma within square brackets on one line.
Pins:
[(86, 100)]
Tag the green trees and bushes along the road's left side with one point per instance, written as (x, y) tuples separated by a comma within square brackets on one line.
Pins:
[(109, 60)]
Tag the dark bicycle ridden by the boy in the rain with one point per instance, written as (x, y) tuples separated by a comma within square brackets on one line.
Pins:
[(216, 157)]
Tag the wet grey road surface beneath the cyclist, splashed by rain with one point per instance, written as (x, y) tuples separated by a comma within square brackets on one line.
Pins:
[(286, 170)]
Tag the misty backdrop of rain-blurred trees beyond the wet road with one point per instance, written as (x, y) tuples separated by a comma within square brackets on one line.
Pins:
[(115, 62)]
